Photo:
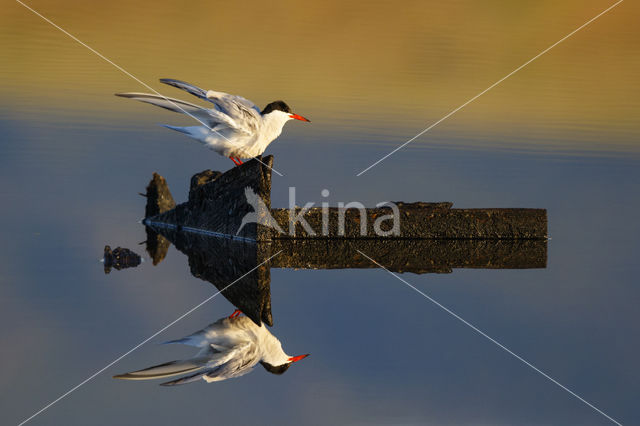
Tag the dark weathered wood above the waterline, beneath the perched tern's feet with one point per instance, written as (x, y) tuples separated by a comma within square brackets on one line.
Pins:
[(218, 202)]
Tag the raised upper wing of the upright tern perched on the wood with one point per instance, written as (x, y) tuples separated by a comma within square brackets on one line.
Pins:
[(245, 114)]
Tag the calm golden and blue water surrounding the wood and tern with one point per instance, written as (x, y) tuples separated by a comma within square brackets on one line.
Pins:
[(561, 134)]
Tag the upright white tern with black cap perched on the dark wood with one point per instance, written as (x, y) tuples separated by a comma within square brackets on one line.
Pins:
[(235, 127)]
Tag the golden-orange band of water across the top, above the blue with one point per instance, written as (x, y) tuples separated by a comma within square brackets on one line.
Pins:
[(385, 66)]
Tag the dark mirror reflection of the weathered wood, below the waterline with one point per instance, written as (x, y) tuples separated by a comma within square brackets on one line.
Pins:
[(238, 268)]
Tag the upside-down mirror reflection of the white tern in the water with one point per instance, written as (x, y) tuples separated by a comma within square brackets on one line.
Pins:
[(230, 347)]
